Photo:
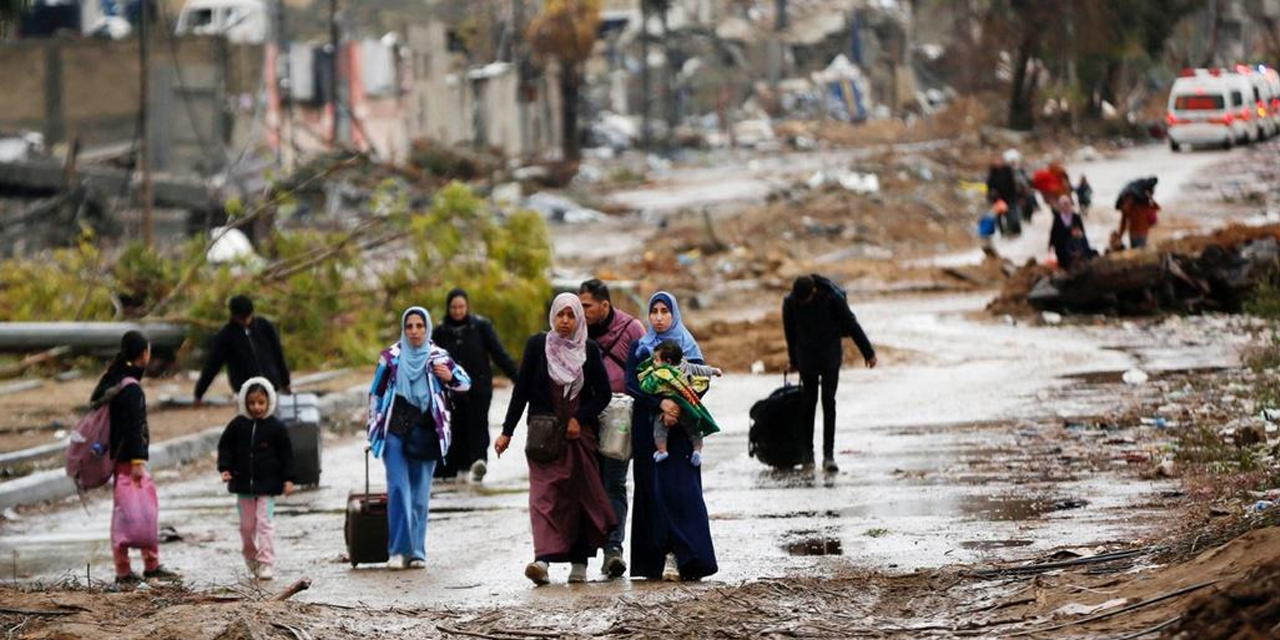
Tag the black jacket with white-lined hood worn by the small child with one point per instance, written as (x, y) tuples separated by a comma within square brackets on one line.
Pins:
[(257, 452)]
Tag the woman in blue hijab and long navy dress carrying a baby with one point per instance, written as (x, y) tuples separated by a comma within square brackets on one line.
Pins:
[(671, 536)]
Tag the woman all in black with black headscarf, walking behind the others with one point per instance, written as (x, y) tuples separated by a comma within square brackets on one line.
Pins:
[(473, 342)]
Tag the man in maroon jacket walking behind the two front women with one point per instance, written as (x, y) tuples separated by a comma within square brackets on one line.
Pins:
[(615, 332)]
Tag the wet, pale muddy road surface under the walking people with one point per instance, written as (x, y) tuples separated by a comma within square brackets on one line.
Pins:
[(941, 452)]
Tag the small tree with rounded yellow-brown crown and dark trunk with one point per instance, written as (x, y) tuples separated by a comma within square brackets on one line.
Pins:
[(565, 31)]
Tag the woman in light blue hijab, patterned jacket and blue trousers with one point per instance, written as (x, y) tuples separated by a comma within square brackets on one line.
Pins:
[(409, 428)]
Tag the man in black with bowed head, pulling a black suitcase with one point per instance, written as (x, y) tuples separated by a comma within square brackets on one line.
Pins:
[(816, 317)]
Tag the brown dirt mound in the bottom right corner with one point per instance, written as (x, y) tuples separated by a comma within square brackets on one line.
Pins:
[(1247, 610)]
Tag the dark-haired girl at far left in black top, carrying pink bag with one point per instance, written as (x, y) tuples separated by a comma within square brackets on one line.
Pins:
[(130, 445)]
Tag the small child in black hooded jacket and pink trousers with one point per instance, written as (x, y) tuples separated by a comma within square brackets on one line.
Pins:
[(255, 459)]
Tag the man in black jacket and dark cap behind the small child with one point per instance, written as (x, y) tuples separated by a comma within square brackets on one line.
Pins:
[(249, 346)]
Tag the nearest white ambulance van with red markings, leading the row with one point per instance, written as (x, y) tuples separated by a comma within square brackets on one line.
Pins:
[(1201, 111)]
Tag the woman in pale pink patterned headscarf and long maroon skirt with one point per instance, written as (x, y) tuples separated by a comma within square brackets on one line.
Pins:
[(563, 376)]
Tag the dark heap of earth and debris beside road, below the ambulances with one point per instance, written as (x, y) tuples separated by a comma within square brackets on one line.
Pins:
[(1195, 275)]
